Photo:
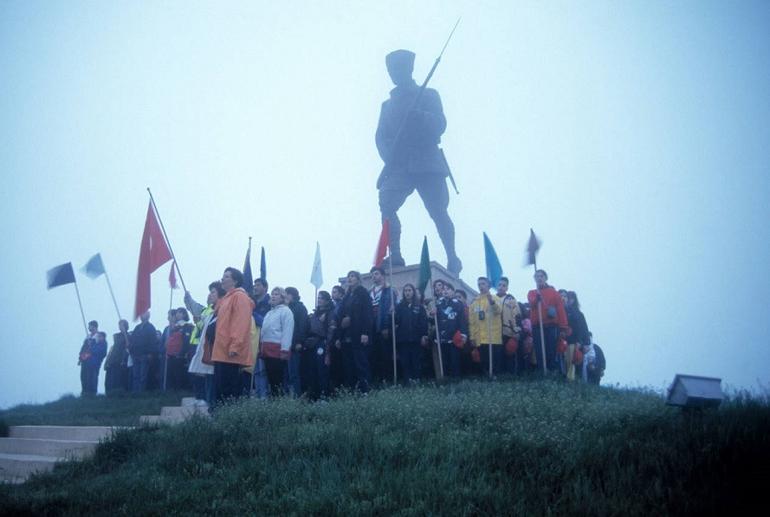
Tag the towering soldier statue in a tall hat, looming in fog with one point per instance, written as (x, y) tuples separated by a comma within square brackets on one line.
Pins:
[(407, 138)]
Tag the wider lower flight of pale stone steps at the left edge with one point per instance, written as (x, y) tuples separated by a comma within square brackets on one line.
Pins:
[(36, 448)]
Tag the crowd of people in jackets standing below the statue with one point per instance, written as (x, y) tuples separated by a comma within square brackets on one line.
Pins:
[(266, 343)]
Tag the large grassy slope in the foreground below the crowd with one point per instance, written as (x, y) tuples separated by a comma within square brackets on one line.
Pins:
[(473, 448)]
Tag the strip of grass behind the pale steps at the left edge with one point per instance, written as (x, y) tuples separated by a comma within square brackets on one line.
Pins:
[(121, 409)]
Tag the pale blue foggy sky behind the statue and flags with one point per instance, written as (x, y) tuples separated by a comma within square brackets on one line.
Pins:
[(632, 136)]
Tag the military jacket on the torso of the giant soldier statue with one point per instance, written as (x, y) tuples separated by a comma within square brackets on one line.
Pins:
[(417, 151)]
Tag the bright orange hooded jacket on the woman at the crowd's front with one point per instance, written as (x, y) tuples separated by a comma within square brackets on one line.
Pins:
[(233, 332)]
